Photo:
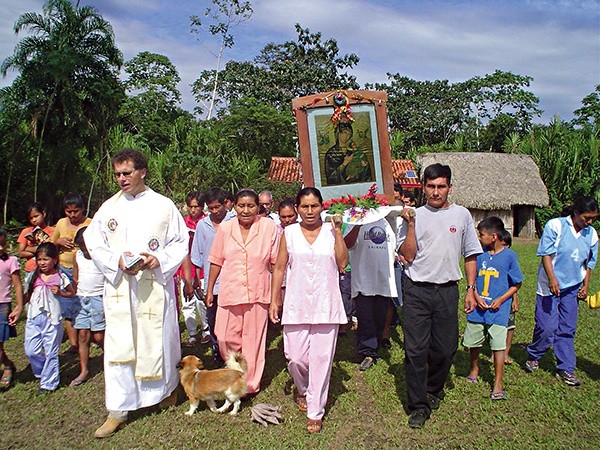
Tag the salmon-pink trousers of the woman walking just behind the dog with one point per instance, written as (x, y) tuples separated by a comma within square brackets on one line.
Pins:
[(243, 329)]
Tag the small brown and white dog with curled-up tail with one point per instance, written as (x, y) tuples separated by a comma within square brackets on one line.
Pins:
[(208, 385)]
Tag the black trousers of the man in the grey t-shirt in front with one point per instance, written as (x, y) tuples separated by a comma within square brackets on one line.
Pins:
[(430, 325)]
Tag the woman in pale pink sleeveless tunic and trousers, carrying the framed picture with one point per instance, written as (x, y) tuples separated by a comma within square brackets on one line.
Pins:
[(313, 308)]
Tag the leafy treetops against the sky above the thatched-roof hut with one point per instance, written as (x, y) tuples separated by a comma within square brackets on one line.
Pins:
[(431, 113)]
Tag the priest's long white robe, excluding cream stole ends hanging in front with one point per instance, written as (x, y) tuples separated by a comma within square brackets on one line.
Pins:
[(123, 391)]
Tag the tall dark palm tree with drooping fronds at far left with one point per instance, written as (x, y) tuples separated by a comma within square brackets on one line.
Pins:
[(68, 69)]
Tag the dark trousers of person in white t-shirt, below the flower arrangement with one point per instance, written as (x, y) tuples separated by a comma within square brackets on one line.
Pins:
[(370, 312)]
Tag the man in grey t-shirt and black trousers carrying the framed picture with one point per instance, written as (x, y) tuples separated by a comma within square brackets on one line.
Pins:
[(432, 244)]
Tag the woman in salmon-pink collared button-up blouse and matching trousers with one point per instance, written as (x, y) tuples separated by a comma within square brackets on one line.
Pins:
[(243, 253)]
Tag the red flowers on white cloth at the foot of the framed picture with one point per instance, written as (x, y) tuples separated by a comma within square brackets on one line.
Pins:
[(361, 210)]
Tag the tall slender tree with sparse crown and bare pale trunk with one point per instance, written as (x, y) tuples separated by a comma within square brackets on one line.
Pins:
[(219, 21)]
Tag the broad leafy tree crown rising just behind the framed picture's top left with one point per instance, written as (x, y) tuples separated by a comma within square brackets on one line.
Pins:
[(284, 71)]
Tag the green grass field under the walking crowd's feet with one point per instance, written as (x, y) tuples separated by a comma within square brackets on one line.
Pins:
[(365, 410)]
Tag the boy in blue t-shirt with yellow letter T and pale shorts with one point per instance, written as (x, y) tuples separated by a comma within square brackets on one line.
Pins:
[(499, 277)]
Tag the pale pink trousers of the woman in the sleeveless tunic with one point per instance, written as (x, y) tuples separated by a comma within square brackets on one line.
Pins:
[(309, 350)]
